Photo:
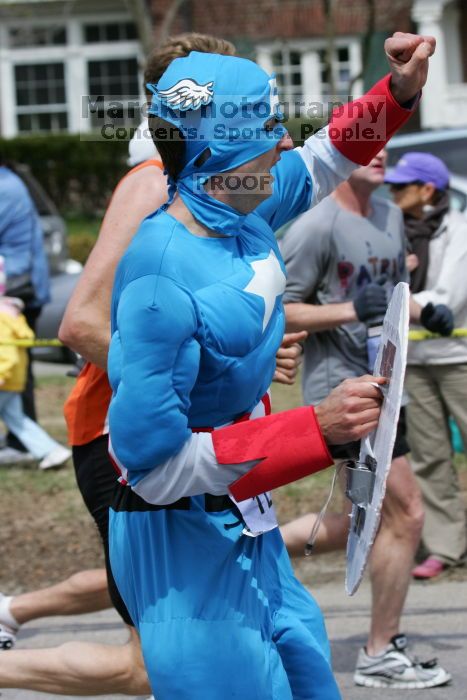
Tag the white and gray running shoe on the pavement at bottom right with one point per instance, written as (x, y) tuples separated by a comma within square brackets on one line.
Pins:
[(394, 668)]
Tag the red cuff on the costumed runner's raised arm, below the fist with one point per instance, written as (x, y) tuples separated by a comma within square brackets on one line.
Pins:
[(361, 128)]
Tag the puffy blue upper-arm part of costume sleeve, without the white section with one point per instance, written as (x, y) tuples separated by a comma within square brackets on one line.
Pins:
[(153, 363)]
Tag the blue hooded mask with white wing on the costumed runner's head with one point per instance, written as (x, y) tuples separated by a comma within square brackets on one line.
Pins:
[(226, 109)]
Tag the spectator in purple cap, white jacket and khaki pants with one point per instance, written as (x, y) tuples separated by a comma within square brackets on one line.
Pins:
[(436, 378)]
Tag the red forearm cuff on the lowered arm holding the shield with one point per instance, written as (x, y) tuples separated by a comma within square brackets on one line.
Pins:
[(290, 446)]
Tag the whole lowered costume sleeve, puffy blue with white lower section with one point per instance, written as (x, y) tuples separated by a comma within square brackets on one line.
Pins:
[(153, 365)]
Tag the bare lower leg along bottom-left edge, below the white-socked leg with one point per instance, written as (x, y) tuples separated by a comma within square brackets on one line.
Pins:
[(77, 668)]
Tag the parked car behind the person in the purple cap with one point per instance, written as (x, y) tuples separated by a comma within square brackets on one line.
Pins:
[(448, 144)]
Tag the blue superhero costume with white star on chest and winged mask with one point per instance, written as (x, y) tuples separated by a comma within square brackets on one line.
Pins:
[(196, 323)]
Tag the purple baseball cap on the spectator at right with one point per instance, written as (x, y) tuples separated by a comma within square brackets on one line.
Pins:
[(421, 167)]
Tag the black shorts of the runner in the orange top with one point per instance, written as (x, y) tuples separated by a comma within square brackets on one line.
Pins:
[(97, 481)]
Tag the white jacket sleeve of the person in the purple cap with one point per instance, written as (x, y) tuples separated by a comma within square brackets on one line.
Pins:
[(450, 287)]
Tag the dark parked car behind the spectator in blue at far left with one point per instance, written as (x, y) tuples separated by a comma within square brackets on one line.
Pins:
[(64, 273)]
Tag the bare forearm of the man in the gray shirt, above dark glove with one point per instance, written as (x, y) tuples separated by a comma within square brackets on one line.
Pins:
[(314, 318)]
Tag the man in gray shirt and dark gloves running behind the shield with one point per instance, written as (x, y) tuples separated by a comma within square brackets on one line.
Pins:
[(343, 260)]
